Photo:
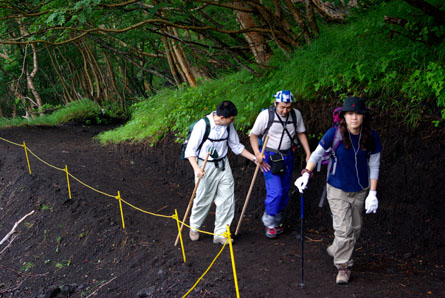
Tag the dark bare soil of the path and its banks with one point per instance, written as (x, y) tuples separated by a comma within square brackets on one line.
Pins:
[(77, 247)]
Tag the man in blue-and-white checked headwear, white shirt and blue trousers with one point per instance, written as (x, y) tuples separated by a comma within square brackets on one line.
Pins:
[(282, 123)]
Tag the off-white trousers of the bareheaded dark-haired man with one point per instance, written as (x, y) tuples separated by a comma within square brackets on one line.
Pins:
[(216, 186)]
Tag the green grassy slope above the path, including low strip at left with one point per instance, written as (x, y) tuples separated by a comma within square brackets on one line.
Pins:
[(360, 58)]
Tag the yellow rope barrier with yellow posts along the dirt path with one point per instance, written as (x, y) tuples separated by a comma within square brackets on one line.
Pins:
[(175, 216)]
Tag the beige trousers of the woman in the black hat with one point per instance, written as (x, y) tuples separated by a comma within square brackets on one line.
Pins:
[(347, 209)]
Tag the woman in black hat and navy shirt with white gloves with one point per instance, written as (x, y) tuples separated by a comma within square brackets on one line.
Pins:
[(352, 180)]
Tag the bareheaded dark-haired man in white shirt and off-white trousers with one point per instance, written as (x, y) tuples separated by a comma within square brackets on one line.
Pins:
[(216, 183)]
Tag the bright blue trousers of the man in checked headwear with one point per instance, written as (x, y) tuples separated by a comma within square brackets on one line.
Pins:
[(277, 186)]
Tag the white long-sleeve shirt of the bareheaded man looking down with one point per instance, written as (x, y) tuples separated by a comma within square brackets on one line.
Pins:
[(216, 132)]
